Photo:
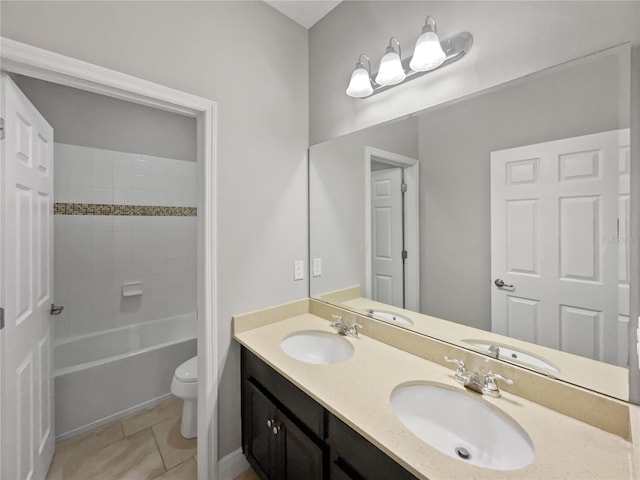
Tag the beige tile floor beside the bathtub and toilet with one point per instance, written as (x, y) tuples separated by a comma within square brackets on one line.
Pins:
[(145, 446)]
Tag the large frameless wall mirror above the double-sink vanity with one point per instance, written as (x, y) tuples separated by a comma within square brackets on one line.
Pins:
[(497, 222)]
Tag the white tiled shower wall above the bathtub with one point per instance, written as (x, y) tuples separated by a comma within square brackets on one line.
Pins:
[(95, 254)]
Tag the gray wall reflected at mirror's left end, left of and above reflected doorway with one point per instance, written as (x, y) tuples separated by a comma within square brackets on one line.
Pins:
[(337, 202)]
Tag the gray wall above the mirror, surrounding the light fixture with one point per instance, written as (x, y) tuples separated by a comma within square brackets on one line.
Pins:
[(511, 39)]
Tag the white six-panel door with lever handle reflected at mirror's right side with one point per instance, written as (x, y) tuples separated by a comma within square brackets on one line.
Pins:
[(554, 243)]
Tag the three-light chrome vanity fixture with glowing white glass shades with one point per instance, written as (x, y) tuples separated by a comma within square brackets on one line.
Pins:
[(429, 54)]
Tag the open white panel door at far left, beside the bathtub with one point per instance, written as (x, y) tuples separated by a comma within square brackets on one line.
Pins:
[(27, 288)]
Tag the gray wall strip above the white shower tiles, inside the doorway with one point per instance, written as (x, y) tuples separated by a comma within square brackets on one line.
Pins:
[(83, 118)]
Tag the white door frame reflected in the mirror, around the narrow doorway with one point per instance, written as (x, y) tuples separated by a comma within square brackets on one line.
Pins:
[(411, 223)]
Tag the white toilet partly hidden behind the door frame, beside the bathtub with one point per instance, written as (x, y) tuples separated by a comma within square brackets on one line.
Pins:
[(185, 386)]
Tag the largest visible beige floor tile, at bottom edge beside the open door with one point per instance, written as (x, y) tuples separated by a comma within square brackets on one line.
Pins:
[(133, 458)]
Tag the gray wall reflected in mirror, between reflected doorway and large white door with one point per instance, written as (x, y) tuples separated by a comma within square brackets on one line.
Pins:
[(456, 142)]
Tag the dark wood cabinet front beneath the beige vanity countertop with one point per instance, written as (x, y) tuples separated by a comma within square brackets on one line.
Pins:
[(286, 435)]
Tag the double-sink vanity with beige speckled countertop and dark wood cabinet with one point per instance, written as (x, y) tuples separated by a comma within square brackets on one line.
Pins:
[(336, 421)]
